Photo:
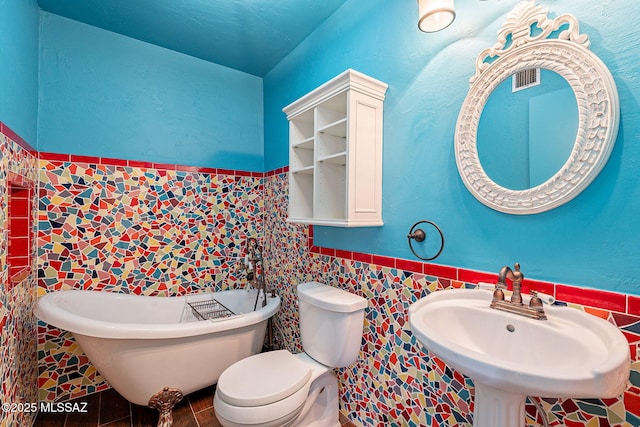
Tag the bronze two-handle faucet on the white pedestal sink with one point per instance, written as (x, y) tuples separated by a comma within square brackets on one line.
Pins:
[(515, 305)]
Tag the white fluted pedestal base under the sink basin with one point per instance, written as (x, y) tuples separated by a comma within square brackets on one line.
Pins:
[(497, 408)]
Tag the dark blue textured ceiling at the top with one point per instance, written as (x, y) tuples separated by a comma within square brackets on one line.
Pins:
[(247, 35)]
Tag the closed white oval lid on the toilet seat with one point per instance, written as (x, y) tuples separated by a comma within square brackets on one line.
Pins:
[(262, 379)]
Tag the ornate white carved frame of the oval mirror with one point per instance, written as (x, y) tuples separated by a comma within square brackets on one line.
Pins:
[(567, 54)]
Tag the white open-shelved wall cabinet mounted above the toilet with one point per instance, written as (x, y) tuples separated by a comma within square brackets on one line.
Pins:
[(335, 153)]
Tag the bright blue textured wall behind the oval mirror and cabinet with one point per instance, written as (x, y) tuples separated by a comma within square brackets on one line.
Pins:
[(592, 241)]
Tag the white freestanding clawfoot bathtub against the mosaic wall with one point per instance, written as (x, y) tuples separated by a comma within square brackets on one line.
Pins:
[(142, 344)]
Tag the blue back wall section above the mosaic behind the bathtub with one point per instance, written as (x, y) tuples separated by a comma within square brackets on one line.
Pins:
[(106, 95)]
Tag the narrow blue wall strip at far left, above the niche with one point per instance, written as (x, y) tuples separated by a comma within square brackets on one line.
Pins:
[(19, 70)]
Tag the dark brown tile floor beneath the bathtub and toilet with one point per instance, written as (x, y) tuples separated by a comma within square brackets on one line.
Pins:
[(108, 408)]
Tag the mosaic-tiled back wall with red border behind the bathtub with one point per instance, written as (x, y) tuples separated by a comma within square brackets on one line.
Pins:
[(149, 229)]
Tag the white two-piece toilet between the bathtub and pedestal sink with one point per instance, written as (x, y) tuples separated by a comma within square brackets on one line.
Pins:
[(278, 388)]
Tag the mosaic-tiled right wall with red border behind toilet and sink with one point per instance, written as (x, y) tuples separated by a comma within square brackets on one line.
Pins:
[(395, 382)]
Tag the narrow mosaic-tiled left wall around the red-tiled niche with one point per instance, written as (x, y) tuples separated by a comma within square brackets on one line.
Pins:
[(18, 359)]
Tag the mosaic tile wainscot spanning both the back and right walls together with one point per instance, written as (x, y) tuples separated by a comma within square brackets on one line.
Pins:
[(129, 221)]
